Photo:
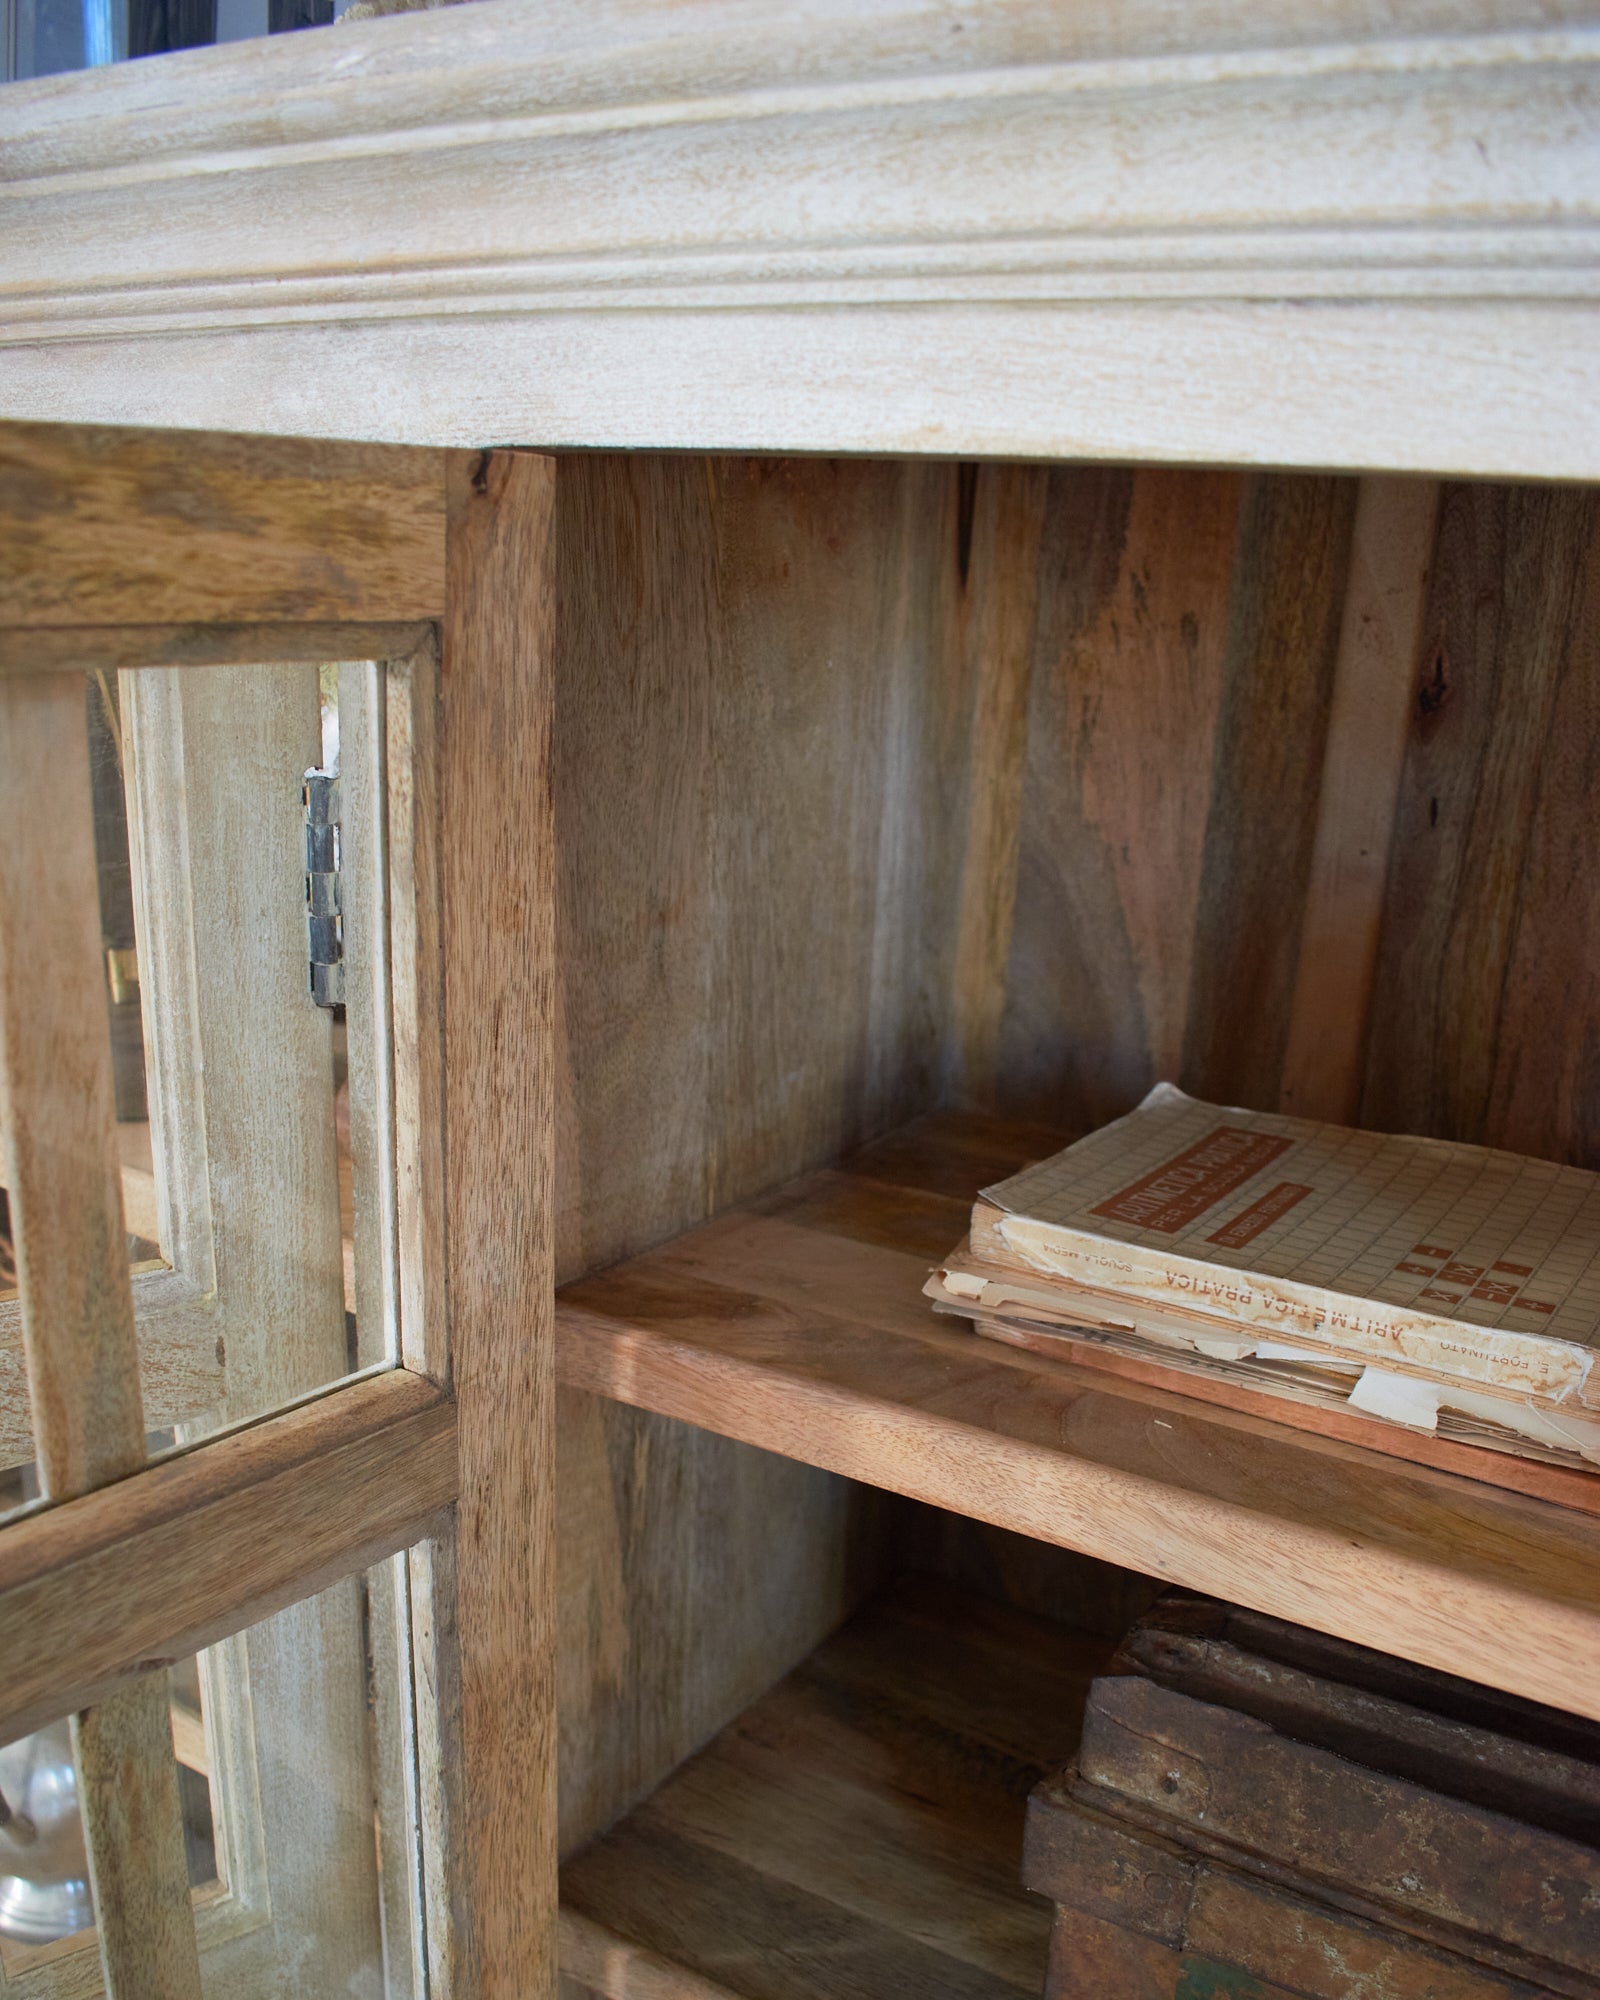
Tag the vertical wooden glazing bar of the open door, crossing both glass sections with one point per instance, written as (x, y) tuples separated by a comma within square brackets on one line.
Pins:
[(57, 1107)]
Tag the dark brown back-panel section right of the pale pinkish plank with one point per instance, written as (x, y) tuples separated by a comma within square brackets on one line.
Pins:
[(1485, 1013)]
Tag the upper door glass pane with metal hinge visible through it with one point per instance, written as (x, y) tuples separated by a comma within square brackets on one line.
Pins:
[(257, 813)]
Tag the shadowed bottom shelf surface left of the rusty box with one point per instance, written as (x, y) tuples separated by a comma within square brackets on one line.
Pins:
[(857, 1831)]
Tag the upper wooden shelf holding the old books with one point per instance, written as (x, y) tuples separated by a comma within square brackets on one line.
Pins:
[(799, 1325)]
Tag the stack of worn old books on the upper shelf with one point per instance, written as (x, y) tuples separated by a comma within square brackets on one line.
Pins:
[(1431, 1285)]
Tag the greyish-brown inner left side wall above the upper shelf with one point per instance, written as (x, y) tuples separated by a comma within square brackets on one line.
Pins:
[(755, 757)]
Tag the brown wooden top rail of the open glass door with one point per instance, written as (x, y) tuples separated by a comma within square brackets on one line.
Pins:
[(127, 527)]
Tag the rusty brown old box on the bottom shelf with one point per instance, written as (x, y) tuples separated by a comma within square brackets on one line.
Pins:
[(1259, 1811)]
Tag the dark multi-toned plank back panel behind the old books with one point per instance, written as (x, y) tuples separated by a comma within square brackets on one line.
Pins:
[(1171, 917)]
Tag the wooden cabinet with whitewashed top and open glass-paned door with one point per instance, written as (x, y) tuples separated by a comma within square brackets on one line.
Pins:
[(921, 573)]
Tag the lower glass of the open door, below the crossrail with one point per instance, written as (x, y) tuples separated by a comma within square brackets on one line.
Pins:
[(281, 1737)]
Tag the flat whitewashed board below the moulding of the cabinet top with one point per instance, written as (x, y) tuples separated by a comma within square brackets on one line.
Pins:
[(1111, 385)]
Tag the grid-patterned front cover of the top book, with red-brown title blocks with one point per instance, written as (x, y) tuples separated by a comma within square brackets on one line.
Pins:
[(1453, 1231)]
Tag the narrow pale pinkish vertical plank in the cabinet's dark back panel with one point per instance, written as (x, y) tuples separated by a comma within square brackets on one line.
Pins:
[(1369, 723)]
